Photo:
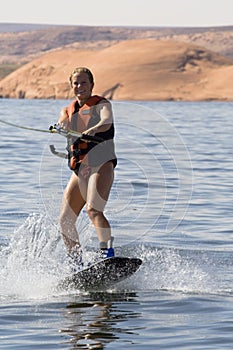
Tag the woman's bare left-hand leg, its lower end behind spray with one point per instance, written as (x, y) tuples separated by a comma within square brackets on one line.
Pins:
[(74, 199)]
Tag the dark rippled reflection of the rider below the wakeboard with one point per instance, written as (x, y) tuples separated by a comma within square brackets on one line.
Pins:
[(99, 319)]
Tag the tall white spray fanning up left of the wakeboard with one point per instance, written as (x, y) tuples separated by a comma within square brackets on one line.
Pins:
[(32, 261)]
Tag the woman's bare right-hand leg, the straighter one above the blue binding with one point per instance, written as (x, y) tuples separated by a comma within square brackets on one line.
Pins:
[(98, 190)]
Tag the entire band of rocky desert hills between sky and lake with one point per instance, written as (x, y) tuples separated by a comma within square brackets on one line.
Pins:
[(128, 63)]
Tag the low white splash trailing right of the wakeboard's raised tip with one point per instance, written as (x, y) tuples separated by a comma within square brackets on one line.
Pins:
[(173, 270)]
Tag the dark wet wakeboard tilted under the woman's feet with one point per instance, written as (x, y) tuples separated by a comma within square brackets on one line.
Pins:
[(103, 274)]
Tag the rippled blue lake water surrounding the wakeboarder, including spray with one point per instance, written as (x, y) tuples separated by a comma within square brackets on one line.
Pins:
[(171, 205)]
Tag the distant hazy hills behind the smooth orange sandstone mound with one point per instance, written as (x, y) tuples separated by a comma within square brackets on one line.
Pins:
[(23, 42)]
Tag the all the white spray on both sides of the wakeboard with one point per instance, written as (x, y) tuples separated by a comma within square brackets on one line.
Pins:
[(34, 263)]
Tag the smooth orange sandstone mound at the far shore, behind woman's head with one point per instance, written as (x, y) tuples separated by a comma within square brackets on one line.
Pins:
[(129, 70)]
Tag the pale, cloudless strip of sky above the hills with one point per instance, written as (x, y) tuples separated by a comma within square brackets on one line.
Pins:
[(184, 13)]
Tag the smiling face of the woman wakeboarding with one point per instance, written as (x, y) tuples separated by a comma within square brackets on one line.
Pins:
[(82, 86)]
